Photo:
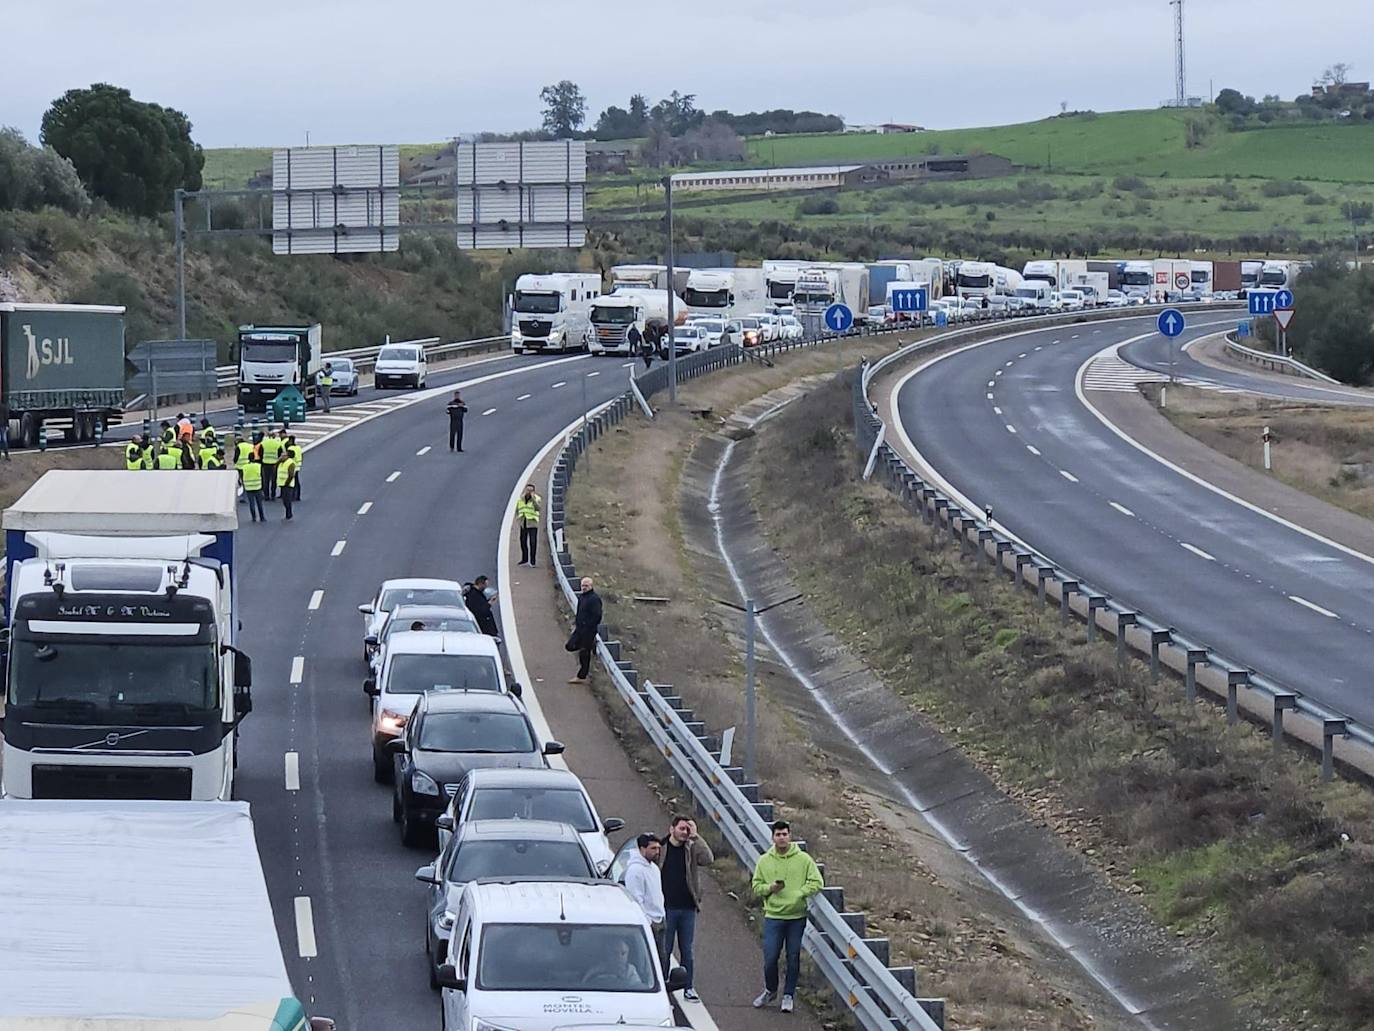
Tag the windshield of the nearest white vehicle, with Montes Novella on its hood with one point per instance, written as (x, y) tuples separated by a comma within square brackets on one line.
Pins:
[(565, 957)]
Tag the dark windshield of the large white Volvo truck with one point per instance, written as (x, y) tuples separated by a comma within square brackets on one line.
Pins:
[(148, 680)]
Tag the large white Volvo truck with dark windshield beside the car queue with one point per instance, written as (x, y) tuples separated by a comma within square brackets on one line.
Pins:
[(123, 673)]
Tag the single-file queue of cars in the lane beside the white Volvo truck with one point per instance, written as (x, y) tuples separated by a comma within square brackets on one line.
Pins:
[(524, 924)]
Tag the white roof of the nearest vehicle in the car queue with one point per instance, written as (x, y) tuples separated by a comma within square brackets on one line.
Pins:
[(539, 902)]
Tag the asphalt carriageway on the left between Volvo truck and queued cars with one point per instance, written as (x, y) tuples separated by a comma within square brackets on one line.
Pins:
[(332, 842)]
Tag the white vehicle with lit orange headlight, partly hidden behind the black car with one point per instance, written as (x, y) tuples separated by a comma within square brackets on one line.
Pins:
[(418, 663)]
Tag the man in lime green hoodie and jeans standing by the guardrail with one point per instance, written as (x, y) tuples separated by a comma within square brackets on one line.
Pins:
[(785, 878)]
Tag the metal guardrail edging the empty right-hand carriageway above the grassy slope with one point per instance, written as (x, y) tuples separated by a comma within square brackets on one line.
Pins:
[(1152, 634)]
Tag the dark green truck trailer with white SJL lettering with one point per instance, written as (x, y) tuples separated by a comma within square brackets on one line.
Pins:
[(63, 365)]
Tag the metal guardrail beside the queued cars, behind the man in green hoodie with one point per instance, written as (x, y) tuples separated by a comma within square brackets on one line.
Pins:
[(880, 999)]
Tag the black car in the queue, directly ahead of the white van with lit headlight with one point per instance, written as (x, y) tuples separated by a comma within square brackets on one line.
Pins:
[(449, 735)]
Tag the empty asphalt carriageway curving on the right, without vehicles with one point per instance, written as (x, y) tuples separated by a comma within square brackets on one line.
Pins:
[(1004, 424)]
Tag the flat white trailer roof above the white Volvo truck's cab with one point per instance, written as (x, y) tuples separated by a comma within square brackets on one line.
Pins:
[(111, 502)]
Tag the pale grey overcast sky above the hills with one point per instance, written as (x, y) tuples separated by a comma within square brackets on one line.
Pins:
[(258, 74)]
